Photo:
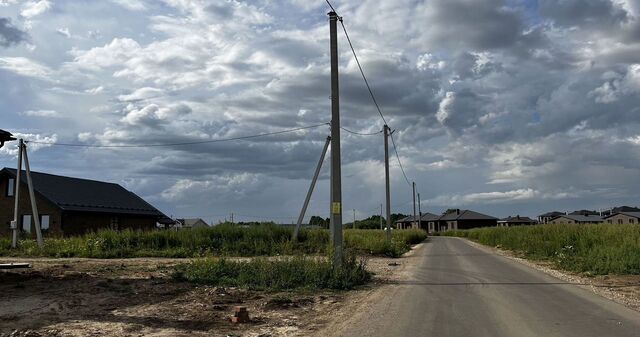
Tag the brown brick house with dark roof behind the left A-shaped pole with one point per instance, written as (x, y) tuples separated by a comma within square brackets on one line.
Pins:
[(72, 206)]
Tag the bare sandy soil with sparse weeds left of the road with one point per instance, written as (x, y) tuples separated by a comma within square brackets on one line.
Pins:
[(137, 297)]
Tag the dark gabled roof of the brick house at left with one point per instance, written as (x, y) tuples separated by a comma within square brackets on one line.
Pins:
[(73, 194)]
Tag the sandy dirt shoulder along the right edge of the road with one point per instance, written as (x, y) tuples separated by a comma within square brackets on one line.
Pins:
[(623, 289)]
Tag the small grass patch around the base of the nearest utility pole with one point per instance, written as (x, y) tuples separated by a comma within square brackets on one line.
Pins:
[(279, 274)]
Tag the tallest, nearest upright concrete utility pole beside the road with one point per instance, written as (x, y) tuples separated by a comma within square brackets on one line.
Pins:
[(336, 174)]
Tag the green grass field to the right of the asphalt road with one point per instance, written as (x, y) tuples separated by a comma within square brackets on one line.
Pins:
[(591, 249)]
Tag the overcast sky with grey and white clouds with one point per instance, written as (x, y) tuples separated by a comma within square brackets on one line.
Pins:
[(502, 106)]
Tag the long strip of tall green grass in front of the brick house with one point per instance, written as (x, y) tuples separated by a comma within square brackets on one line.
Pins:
[(222, 240)]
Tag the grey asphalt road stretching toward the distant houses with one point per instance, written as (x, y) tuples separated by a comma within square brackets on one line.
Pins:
[(460, 290)]
